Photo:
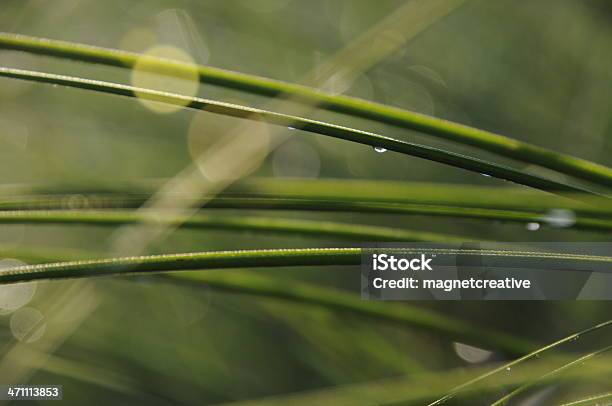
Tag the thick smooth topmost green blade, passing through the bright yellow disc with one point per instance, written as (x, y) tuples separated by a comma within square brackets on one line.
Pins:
[(459, 133)]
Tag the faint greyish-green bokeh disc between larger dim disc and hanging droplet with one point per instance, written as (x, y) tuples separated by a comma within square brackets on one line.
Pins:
[(296, 159)]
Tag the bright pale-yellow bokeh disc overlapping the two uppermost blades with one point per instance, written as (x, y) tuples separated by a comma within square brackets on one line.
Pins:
[(184, 79)]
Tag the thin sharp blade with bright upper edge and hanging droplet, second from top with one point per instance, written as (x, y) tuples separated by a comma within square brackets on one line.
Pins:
[(312, 126)]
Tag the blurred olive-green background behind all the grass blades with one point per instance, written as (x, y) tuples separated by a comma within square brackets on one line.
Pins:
[(538, 71)]
